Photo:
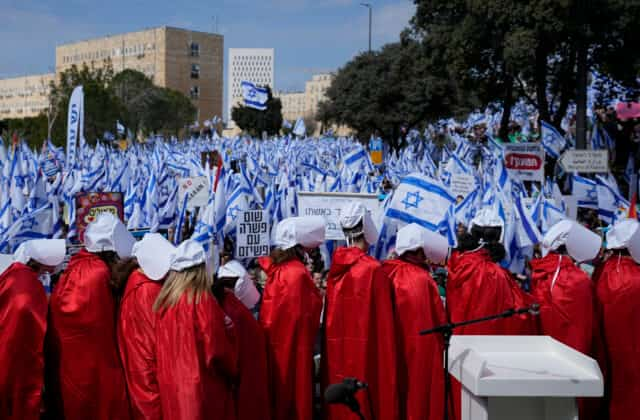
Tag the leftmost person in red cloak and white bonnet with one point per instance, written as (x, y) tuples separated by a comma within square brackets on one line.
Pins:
[(23, 317)]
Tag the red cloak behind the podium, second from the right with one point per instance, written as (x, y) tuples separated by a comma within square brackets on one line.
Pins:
[(567, 310)]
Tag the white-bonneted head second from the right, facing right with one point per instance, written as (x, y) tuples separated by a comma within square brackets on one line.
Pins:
[(568, 237)]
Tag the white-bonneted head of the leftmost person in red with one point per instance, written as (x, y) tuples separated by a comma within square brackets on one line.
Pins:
[(41, 255)]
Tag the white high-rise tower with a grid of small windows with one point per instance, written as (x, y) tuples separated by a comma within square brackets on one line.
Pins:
[(254, 65)]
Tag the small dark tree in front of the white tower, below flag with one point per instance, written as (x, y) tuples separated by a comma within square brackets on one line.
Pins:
[(255, 122)]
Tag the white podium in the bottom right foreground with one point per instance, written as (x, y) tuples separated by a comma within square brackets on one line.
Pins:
[(521, 377)]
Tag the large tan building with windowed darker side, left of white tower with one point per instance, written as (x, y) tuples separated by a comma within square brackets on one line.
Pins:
[(187, 61)]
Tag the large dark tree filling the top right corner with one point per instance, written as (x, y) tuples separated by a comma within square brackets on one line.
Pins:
[(505, 49)]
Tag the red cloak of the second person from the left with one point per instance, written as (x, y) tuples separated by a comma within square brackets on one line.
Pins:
[(87, 375)]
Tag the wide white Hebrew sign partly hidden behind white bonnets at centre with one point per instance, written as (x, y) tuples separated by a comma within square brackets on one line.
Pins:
[(328, 205)]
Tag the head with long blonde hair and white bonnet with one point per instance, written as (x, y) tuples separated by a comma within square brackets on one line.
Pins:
[(187, 276)]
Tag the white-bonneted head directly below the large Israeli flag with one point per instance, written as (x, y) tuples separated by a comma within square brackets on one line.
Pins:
[(419, 245)]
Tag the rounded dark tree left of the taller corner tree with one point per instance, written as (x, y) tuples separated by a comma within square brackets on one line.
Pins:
[(386, 90)]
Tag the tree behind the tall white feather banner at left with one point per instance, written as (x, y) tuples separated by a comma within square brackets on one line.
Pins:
[(101, 106)]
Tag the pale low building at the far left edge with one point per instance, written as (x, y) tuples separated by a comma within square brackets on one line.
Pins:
[(22, 97)]
